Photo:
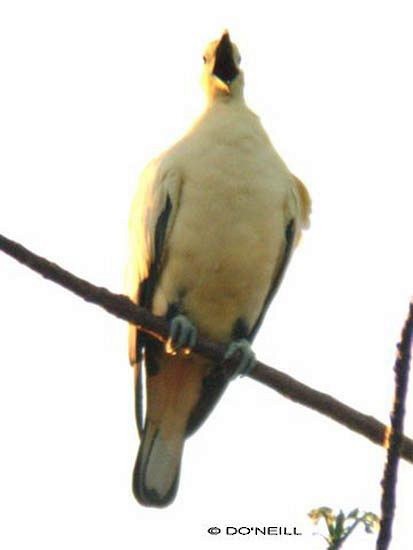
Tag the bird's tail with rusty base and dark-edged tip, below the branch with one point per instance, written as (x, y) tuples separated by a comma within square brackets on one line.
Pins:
[(173, 387)]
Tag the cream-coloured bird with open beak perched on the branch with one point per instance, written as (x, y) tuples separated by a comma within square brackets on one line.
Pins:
[(213, 225)]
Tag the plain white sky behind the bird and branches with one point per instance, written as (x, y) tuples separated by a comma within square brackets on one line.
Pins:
[(90, 92)]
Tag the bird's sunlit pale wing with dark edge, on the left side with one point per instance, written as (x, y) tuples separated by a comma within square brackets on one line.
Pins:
[(153, 213)]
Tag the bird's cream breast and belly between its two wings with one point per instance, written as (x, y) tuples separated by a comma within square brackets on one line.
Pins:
[(229, 232)]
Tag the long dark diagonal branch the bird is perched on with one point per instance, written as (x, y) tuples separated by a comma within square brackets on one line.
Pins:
[(122, 307)]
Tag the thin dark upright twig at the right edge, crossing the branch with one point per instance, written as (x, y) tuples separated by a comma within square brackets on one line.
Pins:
[(401, 369)]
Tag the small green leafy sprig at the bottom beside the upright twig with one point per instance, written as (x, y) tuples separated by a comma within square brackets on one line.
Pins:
[(341, 526)]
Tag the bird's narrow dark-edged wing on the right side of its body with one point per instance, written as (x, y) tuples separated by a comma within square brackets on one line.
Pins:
[(297, 218)]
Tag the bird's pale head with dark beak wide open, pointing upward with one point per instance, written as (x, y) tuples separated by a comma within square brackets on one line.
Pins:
[(222, 77)]
